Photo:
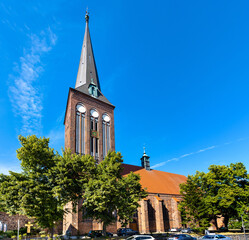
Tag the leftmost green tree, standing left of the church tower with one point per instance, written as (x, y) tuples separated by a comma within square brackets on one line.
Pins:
[(31, 191)]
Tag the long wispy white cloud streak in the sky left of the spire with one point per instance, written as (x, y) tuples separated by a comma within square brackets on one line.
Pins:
[(24, 94)]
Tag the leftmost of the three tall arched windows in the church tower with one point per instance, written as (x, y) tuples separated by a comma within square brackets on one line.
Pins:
[(80, 129)]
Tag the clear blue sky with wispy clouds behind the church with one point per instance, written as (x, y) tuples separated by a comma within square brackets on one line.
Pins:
[(177, 72)]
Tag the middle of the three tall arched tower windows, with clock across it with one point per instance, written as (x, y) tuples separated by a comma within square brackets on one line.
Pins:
[(94, 138)]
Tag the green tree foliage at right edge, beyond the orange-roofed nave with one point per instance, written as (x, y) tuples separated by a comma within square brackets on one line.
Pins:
[(223, 191)]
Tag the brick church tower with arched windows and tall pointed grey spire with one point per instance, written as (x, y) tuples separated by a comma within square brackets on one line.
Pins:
[(89, 118)]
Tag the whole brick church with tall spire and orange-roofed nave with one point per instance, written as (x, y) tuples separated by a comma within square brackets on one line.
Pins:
[(89, 129)]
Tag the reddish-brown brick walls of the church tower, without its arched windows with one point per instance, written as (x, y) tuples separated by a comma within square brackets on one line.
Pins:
[(73, 221)]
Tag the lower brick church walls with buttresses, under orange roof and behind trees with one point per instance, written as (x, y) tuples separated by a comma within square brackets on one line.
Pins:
[(157, 213)]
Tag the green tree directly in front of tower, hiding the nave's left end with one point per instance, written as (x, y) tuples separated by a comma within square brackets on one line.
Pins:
[(109, 194)]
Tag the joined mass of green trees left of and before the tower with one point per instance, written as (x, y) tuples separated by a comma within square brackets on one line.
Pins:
[(48, 181)]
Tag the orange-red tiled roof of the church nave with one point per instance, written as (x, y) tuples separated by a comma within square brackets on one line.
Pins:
[(157, 181)]
